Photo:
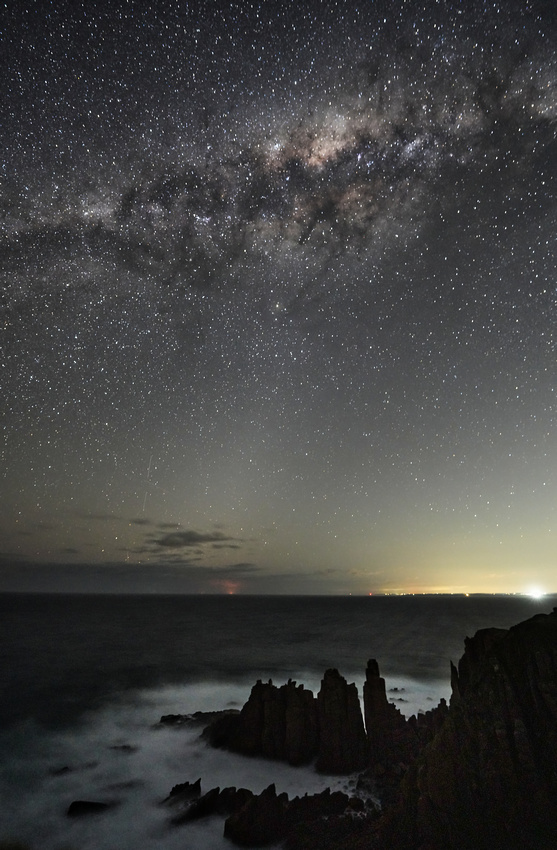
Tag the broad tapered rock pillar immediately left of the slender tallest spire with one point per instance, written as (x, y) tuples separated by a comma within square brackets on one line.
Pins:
[(342, 738)]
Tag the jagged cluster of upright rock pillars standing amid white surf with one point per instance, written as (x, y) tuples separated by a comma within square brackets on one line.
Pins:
[(288, 723)]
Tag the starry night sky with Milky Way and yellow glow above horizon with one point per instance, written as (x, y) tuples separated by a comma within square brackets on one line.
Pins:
[(278, 296)]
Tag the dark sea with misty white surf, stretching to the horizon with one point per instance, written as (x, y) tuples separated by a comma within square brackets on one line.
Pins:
[(84, 681)]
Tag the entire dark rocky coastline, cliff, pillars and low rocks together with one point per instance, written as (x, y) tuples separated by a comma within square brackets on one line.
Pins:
[(477, 774)]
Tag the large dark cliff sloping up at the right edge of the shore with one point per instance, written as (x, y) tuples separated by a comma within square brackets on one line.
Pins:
[(488, 779)]
